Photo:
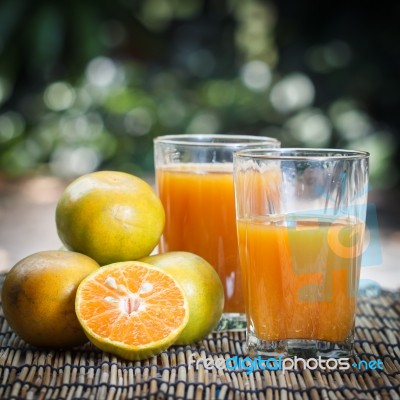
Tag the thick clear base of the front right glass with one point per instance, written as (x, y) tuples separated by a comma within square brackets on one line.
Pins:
[(299, 348)]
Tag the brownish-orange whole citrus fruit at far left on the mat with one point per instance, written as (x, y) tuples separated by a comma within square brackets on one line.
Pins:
[(39, 297)]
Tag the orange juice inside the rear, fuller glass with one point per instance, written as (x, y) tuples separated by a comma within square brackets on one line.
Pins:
[(200, 218)]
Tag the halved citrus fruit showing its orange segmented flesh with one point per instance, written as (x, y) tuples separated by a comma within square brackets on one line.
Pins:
[(131, 309)]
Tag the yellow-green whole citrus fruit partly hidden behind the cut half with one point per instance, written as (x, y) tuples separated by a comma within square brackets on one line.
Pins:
[(203, 289)]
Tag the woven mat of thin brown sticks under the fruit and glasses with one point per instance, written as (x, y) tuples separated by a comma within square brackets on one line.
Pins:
[(87, 373)]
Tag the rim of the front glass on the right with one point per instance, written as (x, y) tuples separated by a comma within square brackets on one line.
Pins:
[(301, 154)]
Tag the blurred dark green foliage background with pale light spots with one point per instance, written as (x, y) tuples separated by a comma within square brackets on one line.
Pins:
[(87, 85)]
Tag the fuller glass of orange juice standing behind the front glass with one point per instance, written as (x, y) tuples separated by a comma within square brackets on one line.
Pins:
[(195, 183)]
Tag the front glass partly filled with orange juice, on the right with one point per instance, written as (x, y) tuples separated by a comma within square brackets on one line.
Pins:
[(300, 219)]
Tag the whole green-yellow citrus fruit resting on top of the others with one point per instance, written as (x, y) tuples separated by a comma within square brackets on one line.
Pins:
[(110, 216)]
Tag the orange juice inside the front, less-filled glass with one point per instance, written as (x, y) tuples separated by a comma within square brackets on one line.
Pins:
[(301, 275)]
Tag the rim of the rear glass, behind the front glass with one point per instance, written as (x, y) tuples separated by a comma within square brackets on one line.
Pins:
[(229, 140)]
